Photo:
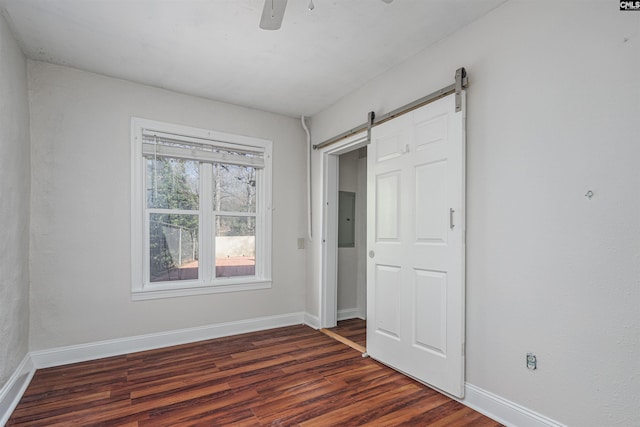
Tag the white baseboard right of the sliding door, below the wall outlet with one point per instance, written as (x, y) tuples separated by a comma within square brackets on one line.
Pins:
[(503, 410)]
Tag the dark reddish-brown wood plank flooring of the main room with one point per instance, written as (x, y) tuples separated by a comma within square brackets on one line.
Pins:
[(293, 376)]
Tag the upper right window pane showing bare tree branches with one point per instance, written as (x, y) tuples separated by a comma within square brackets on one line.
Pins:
[(234, 188)]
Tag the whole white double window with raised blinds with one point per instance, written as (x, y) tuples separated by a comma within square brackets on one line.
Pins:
[(201, 211)]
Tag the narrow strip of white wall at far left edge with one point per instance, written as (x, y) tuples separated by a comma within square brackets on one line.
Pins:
[(14, 205)]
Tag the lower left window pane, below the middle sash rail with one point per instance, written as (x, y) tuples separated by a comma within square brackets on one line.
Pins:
[(173, 247)]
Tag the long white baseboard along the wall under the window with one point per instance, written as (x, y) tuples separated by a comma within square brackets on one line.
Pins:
[(97, 350)]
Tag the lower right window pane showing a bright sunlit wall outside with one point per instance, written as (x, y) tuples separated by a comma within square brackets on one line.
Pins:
[(235, 246)]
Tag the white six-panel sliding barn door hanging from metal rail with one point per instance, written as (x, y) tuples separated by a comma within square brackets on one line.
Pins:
[(415, 240)]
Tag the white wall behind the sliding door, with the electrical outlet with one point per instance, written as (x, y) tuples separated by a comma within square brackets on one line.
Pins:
[(553, 110)]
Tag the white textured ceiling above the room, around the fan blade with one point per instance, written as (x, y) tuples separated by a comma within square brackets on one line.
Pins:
[(215, 49)]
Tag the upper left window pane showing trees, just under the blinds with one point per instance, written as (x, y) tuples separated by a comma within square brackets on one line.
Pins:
[(172, 183)]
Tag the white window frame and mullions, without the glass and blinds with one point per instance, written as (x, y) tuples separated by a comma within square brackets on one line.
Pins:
[(141, 286)]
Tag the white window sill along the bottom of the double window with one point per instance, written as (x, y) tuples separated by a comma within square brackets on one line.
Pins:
[(160, 291)]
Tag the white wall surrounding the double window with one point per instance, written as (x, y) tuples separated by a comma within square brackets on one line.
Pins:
[(80, 241)]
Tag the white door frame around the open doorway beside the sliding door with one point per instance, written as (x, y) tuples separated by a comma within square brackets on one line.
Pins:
[(330, 180)]
